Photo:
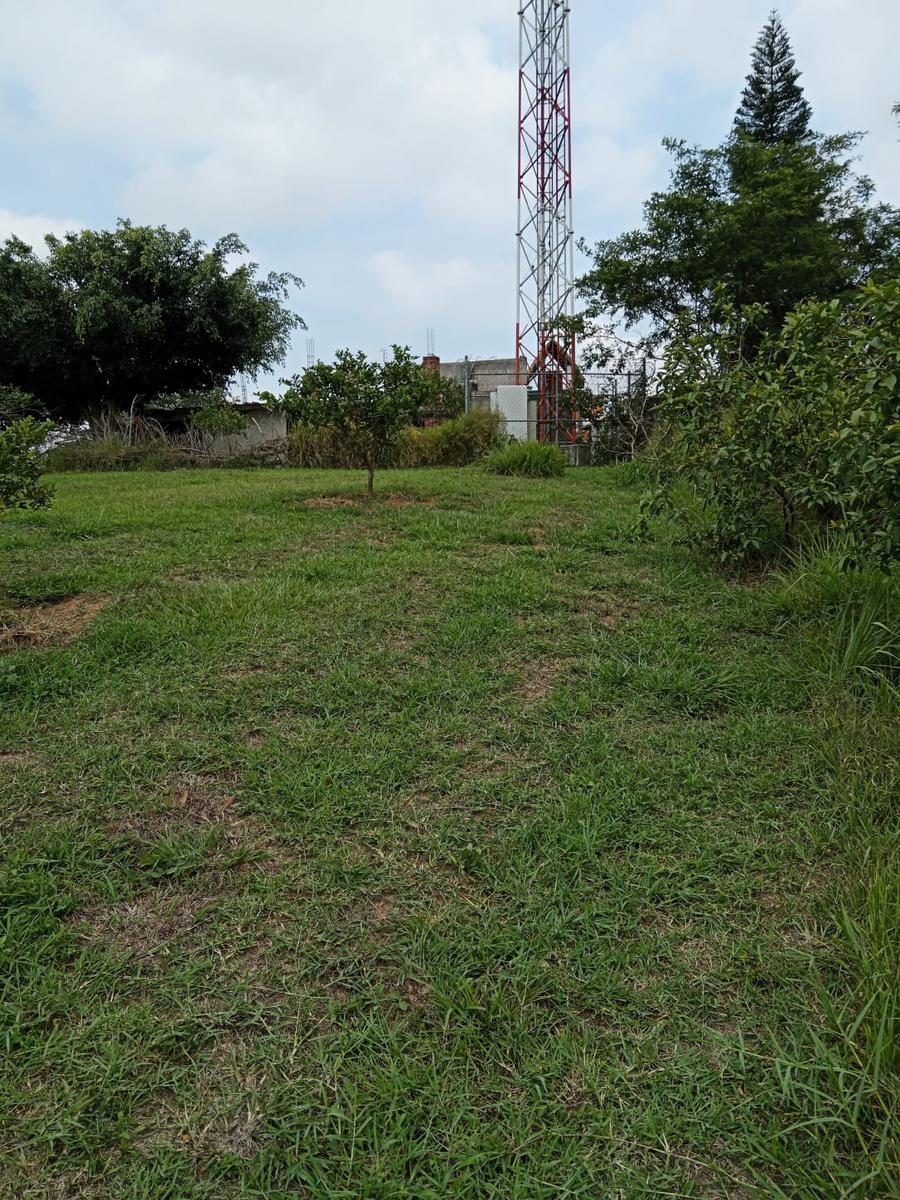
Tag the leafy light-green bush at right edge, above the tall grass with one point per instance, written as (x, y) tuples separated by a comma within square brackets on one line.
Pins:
[(806, 434)]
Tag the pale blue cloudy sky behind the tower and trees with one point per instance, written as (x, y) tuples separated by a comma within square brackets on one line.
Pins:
[(369, 146)]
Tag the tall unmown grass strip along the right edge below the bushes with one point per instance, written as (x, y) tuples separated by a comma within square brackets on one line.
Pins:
[(839, 1082)]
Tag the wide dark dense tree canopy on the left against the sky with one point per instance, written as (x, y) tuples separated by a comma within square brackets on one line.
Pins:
[(118, 317)]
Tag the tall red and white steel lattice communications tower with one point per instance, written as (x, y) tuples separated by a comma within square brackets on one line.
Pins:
[(545, 343)]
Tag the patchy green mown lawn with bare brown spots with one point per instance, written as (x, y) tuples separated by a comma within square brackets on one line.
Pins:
[(459, 844)]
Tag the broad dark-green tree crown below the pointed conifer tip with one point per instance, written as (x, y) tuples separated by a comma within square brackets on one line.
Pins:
[(772, 225)]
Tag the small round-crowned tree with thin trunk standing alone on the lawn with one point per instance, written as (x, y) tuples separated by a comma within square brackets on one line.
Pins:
[(367, 404)]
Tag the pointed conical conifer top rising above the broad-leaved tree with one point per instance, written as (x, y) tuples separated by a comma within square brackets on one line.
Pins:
[(773, 107)]
